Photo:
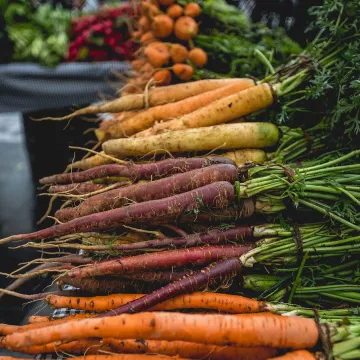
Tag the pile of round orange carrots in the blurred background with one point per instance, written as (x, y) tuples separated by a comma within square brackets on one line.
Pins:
[(165, 32)]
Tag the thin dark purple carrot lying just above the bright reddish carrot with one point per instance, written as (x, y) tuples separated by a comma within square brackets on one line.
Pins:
[(211, 237)]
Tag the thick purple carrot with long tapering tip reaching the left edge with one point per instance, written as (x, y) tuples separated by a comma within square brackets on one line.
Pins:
[(218, 195)]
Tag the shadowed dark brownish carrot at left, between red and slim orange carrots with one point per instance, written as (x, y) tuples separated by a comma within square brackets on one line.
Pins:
[(102, 286)]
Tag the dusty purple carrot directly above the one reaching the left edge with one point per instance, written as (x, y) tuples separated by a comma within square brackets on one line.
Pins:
[(158, 189)]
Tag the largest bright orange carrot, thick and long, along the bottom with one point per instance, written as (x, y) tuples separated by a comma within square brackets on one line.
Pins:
[(223, 330)]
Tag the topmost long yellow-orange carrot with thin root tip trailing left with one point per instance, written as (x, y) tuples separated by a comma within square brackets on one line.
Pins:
[(156, 96)]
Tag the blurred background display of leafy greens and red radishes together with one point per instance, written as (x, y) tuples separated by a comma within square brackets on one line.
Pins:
[(48, 34)]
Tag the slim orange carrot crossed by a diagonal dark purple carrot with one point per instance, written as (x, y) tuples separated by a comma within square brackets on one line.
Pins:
[(199, 300)]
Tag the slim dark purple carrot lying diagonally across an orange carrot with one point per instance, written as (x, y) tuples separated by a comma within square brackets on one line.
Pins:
[(221, 270)]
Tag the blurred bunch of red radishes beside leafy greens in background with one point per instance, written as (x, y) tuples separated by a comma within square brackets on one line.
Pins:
[(104, 36)]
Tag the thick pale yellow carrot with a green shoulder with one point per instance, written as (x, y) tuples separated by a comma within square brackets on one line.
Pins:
[(228, 136)]
